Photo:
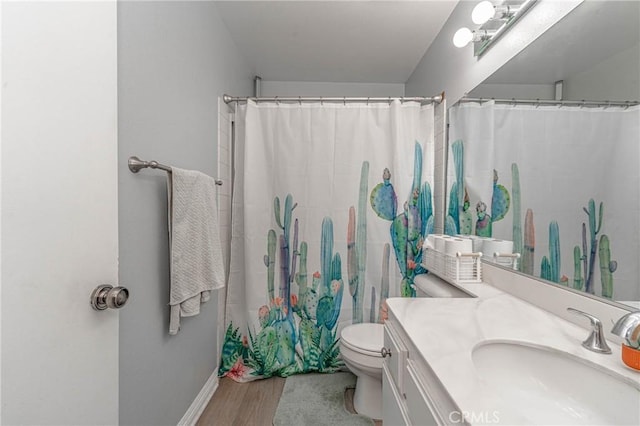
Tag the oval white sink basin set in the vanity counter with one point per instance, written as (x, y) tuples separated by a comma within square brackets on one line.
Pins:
[(546, 386)]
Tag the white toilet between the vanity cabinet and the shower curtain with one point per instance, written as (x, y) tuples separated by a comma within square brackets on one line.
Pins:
[(360, 346)]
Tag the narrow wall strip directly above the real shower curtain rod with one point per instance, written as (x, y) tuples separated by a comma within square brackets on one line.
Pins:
[(326, 89)]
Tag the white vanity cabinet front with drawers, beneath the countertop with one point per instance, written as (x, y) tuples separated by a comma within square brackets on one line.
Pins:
[(405, 392)]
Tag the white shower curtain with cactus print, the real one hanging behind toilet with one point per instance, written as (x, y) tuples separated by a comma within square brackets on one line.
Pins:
[(331, 203)]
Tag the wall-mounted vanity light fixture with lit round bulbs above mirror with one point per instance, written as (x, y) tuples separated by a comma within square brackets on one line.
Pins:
[(495, 18)]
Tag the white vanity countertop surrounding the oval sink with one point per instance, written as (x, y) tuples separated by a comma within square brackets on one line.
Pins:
[(445, 332)]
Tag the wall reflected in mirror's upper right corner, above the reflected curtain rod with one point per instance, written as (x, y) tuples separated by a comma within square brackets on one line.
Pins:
[(609, 80)]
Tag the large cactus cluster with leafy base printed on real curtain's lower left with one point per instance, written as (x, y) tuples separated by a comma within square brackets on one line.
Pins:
[(297, 330)]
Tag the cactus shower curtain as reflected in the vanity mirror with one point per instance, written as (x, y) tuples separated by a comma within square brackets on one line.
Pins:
[(563, 157)]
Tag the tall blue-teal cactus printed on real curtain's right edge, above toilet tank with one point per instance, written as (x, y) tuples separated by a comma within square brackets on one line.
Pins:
[(409, 228)]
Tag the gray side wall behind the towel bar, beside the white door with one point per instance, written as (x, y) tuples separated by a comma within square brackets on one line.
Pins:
[(174, 60)]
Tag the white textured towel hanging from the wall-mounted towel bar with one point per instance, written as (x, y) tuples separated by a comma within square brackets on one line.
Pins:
[(194, 242)]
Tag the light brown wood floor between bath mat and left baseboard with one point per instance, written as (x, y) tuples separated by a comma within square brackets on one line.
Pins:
[(240, 404)]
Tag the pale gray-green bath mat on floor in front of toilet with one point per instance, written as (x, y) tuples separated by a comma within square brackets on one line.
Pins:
[(317, 399)]
